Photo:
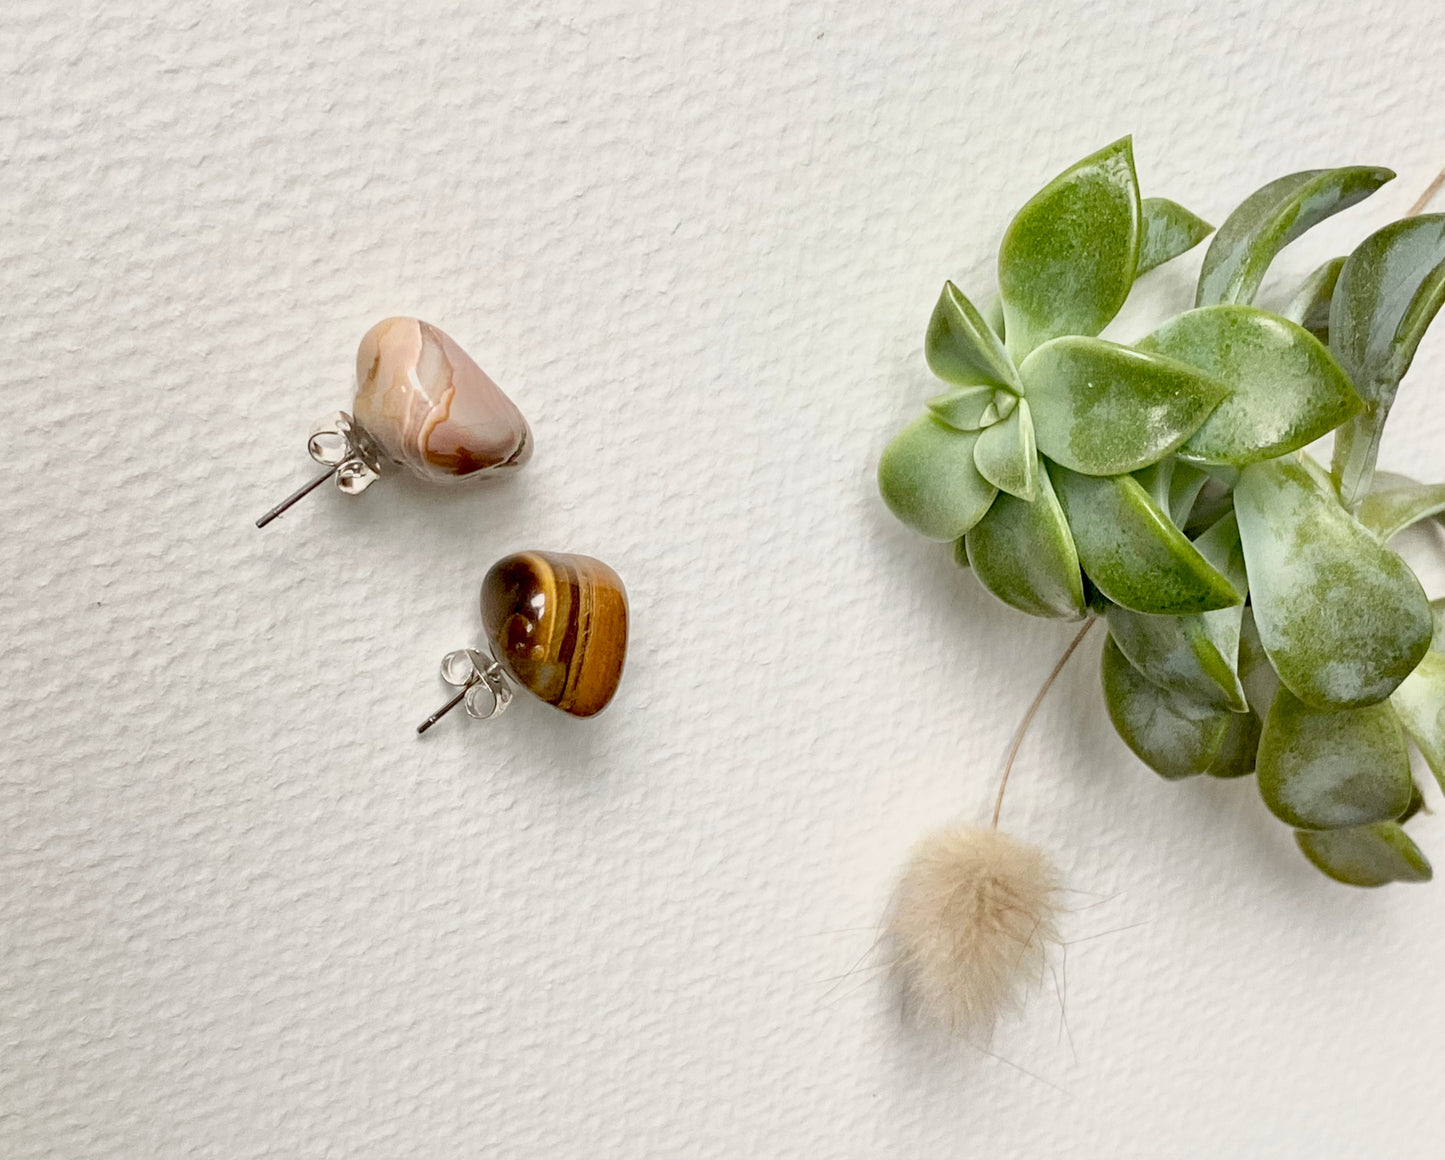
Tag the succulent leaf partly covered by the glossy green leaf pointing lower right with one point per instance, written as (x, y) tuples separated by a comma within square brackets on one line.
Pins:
[(1194, 655)]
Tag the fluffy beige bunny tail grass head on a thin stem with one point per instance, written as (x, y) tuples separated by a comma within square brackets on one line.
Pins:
[(970, 925)]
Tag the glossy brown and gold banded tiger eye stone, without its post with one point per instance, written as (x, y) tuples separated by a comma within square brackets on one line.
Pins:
[(558, 625)]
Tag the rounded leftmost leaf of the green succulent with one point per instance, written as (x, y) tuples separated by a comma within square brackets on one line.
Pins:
[(930, 482)]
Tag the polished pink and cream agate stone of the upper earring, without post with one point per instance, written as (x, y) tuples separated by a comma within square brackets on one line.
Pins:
[(434, 411)]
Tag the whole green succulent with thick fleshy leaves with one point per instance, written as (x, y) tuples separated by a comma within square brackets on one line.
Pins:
[(1258, 619)]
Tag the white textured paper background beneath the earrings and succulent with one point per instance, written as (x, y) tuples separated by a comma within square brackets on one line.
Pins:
[(245, 911)]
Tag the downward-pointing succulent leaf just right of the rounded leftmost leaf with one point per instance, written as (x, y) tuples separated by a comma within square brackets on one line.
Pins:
[(1024, 554)]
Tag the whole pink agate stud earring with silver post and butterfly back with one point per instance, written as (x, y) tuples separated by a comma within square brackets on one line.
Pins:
[(421, 404)]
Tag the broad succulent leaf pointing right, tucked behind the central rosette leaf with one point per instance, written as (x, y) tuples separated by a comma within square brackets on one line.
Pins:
[(1284, 388)]
